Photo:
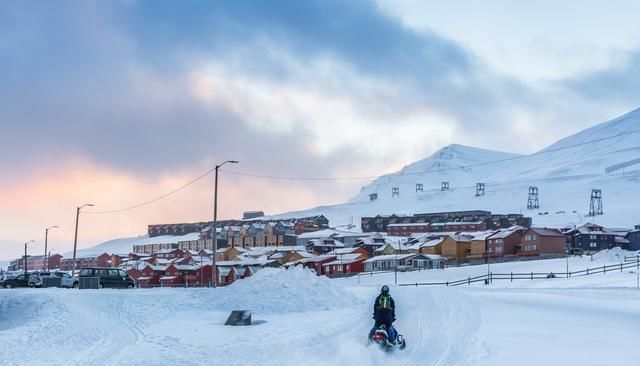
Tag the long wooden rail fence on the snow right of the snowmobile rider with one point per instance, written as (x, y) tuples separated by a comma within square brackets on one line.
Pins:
[(490, 277)]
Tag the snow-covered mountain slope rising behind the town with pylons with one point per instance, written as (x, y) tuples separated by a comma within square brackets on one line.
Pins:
[(564, 172)]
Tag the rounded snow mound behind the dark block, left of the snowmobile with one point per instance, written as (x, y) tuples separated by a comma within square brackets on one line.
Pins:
[(281, 291)]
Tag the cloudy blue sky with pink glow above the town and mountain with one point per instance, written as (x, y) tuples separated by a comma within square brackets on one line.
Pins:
[(116, 103)]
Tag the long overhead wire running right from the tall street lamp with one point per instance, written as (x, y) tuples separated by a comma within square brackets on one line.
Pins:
[(431, 171)]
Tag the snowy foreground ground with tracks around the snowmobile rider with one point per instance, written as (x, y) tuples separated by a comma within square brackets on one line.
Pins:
[(305, 320)]
